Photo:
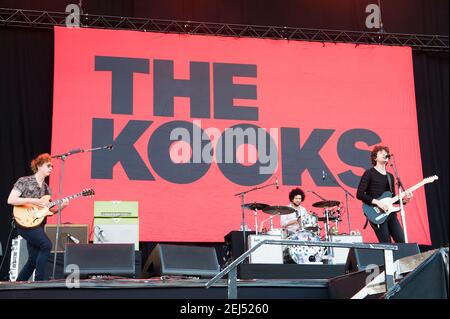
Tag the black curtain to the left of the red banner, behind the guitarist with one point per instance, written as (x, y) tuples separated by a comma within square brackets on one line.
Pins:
[(26, 99)]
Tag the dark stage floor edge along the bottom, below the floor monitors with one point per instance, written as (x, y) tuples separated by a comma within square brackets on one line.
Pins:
[(167, 288)]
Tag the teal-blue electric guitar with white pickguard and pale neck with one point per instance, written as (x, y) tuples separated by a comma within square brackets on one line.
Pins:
[(377, 216)]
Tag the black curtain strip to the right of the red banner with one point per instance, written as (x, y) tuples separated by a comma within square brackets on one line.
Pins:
[(431, 85)]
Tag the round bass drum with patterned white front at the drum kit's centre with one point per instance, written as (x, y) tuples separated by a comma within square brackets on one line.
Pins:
[(305, 254)]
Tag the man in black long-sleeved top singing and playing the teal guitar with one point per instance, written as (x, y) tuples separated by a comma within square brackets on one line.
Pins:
[(374, 182)]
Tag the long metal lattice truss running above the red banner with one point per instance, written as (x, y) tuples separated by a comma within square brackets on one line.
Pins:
[(45, 19)]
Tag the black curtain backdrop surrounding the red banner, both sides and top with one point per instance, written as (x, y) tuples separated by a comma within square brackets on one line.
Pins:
[(26, 76)]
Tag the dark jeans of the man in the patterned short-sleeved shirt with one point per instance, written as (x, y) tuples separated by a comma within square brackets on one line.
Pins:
[(39, 247)]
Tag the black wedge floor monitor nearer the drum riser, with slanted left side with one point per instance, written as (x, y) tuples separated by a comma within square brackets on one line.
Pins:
[(181, 260)]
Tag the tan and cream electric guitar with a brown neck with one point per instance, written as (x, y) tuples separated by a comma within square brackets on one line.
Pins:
[(30, 216)]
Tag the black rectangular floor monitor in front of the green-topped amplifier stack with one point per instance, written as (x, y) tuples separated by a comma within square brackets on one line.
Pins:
[(100, 259)]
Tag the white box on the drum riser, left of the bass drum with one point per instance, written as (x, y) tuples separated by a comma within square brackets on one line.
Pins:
[(266, 254)]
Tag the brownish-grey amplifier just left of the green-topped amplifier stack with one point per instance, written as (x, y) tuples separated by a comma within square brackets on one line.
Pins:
[(68, 234)]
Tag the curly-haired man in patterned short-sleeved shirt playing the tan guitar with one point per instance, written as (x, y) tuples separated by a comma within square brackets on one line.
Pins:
[(29, 190)]
